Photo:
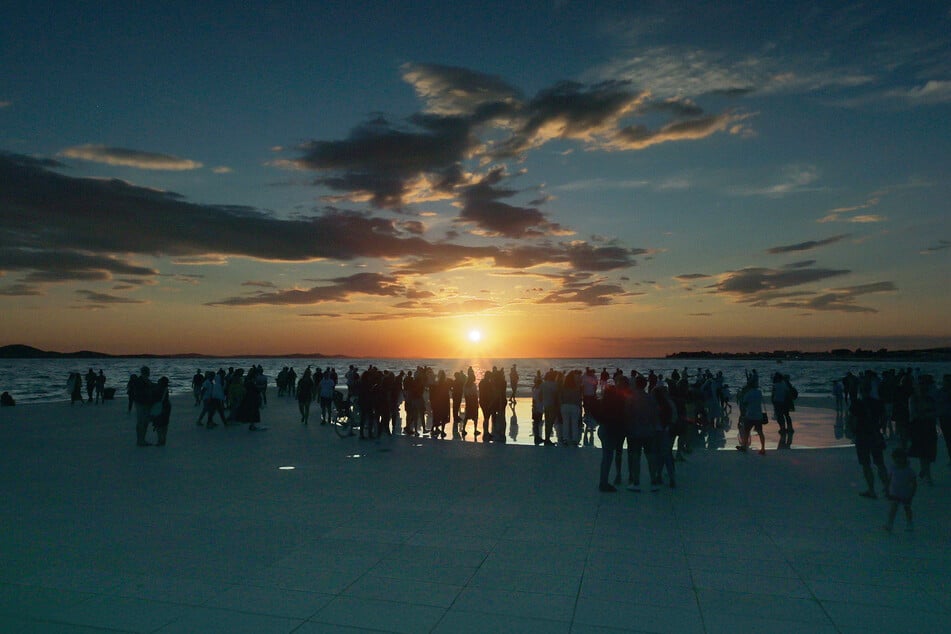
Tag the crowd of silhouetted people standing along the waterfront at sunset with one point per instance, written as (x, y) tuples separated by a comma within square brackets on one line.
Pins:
[(648, 413)]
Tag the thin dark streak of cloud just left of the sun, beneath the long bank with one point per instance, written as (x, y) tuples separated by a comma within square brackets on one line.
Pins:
[(340, 289)]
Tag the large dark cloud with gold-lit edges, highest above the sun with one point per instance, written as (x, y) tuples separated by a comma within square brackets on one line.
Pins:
[(474, 118)]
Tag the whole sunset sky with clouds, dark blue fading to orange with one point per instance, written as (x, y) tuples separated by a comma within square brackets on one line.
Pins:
[(384, 179)]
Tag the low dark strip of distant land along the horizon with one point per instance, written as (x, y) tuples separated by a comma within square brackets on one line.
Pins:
[(20, 351)]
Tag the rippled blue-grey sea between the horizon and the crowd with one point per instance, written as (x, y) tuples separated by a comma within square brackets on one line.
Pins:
[(44, 380)]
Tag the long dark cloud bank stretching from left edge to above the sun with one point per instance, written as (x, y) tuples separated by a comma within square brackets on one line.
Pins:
[(53, 224)]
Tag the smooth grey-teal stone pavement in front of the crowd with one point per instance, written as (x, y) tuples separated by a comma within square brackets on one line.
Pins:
[(210, 534)]
